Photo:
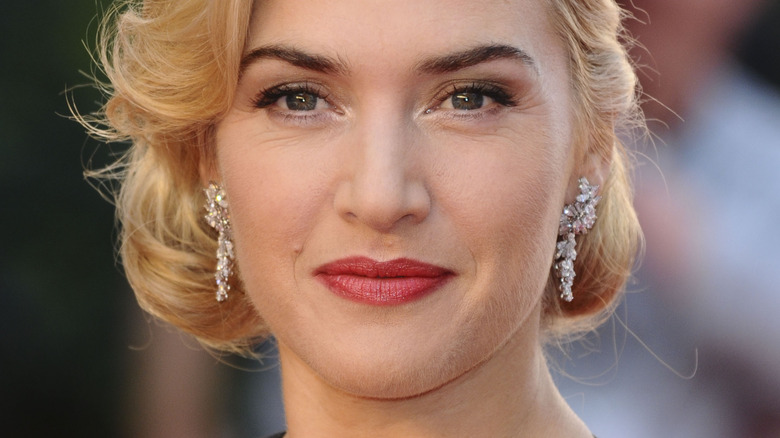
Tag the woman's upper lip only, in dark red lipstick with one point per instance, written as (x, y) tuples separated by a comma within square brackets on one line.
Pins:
[(367, 267)]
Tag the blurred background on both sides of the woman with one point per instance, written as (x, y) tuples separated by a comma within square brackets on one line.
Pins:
[(80, 359)]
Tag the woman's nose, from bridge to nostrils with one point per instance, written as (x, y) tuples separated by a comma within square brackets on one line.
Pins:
[(385, 183)]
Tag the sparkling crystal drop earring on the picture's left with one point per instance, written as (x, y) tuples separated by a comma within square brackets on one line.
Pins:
[(217, 217)]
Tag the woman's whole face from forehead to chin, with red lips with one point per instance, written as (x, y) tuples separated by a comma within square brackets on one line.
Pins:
[(395, 172)]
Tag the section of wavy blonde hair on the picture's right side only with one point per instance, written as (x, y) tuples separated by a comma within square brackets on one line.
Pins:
[(606, 94)]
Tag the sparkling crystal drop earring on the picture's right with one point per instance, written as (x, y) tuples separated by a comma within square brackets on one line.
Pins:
[(577, 218)]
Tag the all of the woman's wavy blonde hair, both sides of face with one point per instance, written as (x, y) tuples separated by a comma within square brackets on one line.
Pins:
[(173, 67)]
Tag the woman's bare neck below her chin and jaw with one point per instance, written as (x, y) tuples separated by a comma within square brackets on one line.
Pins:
[(509, 395)]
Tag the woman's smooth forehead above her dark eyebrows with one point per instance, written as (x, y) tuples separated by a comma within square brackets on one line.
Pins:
[(391, 33)]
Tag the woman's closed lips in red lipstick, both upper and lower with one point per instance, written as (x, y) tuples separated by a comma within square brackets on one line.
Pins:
[(369, 281)]
